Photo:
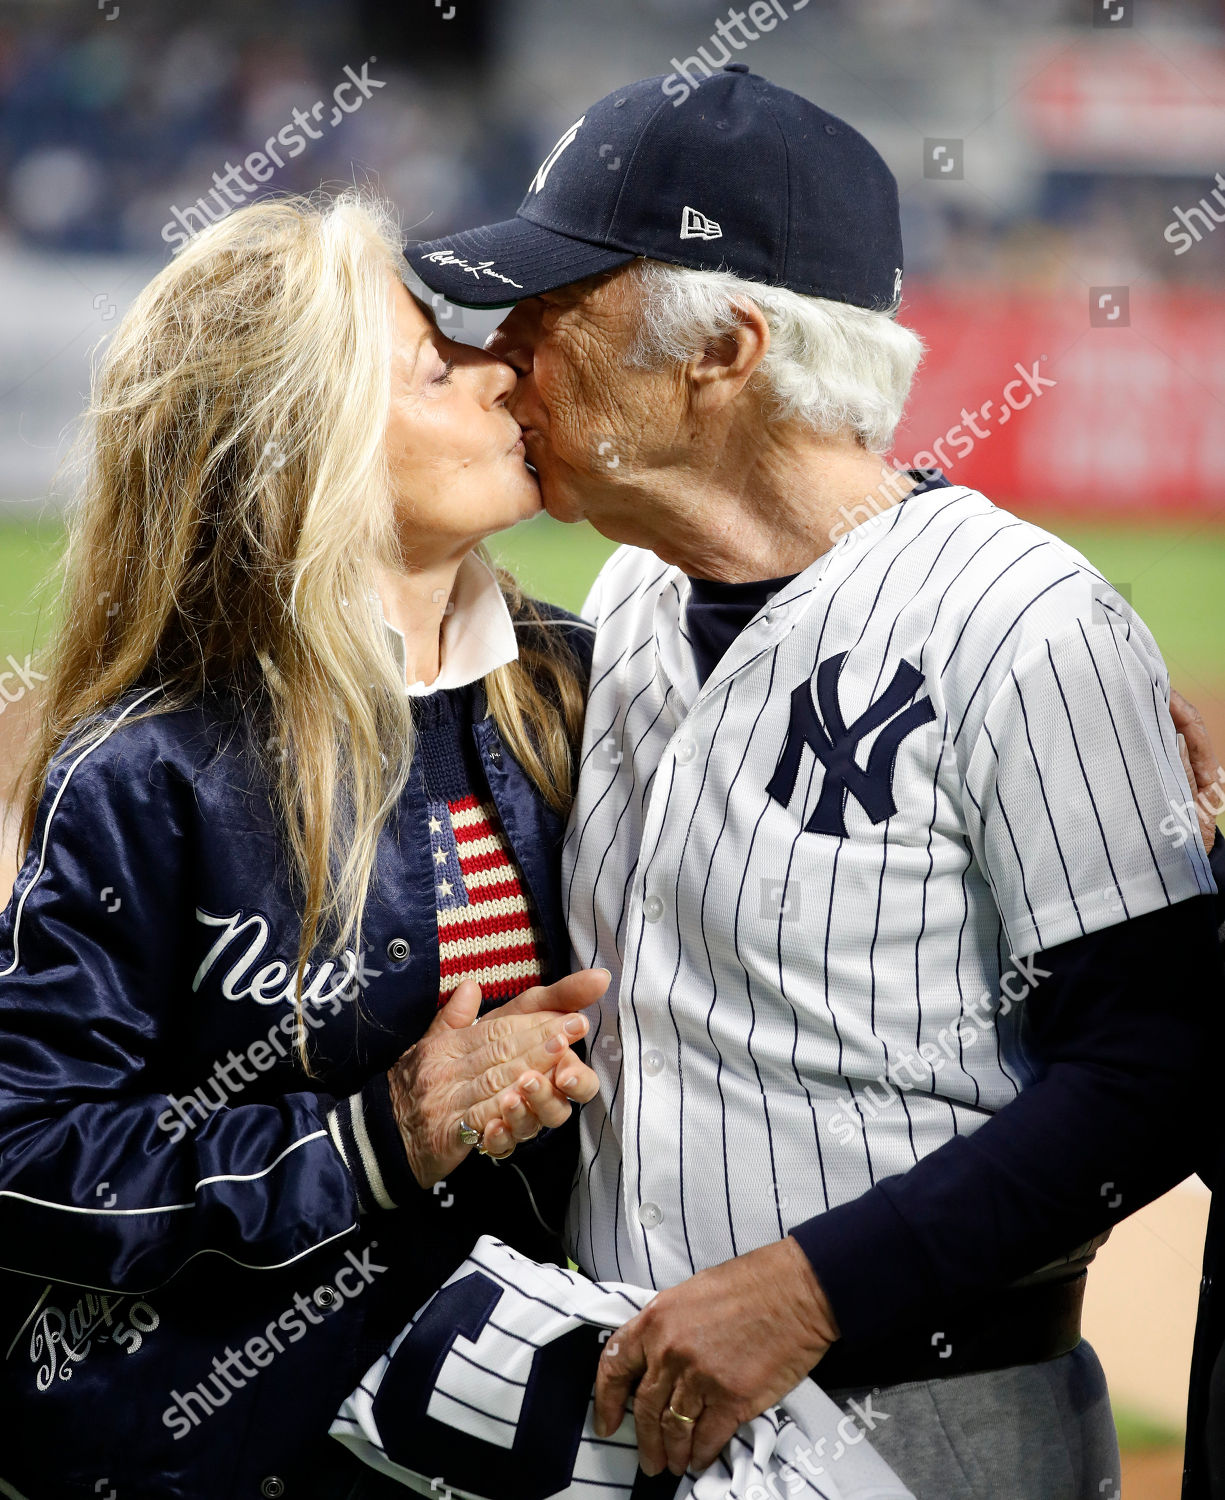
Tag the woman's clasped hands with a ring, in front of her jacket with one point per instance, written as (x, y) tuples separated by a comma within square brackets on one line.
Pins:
[(506, 1075)]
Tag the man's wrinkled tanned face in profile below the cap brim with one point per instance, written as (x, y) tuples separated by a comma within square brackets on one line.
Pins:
[(590, 419)]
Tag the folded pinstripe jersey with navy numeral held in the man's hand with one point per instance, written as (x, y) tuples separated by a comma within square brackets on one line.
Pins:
[(488, 1393)]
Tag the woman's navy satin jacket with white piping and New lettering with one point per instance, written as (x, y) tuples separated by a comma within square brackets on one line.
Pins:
[(152, 1249)]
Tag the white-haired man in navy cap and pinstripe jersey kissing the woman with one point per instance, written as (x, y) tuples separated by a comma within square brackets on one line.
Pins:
[(911, 986)]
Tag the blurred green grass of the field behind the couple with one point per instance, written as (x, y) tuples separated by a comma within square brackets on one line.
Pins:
[(1173, 574)]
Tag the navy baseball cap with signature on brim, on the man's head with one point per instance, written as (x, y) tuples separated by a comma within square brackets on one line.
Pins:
[(738, 176)]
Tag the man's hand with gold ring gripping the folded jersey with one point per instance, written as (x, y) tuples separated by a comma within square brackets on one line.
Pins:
[(722, 1348)]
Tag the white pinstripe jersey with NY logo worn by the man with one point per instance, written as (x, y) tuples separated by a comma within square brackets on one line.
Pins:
[(942, 745)]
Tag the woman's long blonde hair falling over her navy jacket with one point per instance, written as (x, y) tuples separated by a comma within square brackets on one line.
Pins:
[(235, 499)]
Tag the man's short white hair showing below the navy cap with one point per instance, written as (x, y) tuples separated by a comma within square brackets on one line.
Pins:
[(830, 365)]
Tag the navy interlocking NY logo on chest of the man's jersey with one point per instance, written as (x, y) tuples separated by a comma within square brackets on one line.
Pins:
[(834, 745)]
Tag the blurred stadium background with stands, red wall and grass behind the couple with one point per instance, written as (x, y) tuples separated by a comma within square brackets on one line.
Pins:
[(1059, 182)]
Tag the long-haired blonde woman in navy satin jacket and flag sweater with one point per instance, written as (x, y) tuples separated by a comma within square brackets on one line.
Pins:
[(293, 821)]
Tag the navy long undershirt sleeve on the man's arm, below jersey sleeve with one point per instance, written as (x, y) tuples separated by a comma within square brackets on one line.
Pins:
[(1122, 1034)]
